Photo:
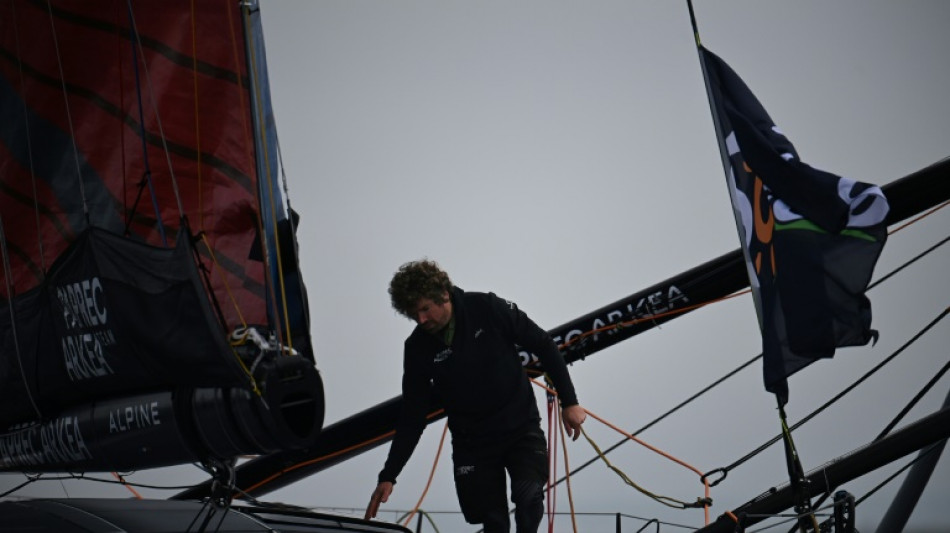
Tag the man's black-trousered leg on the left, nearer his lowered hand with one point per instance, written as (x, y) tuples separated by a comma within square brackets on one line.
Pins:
[(480, 485)]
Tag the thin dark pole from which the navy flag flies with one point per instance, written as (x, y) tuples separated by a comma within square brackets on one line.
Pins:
[(796, 472)]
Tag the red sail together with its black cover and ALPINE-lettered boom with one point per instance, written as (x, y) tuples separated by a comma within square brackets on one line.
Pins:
[(151, 309)]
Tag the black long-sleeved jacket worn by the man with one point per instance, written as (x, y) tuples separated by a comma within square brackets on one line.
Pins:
[(479, 378)]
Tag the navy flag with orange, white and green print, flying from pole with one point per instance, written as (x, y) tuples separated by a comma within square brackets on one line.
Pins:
[(810, 238)]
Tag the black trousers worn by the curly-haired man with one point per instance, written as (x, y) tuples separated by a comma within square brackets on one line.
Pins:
[(480, 480)]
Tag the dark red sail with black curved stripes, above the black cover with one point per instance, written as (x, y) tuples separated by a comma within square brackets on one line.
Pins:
[(80, 92)]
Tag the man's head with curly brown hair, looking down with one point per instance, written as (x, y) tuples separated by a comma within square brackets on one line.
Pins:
[(420, 291)]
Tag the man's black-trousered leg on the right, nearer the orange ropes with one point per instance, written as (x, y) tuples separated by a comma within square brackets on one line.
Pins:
[(527, 464)]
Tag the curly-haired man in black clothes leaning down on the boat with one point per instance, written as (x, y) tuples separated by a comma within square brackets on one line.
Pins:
[(463, 352)]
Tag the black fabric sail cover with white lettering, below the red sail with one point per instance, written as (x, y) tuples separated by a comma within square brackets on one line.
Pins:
[(113, 316)]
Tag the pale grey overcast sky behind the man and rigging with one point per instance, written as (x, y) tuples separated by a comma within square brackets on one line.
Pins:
[(562, 155)]
